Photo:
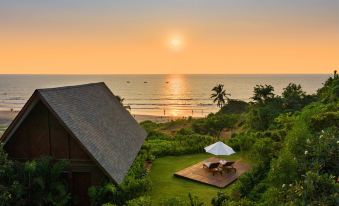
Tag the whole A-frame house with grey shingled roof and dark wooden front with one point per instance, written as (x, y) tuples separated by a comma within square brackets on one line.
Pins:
[(84, 124)]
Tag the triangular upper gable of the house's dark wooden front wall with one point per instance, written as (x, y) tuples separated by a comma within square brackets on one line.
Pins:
[(41, 134)]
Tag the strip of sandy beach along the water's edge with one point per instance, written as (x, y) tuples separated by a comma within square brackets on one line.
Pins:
[(6, 117)]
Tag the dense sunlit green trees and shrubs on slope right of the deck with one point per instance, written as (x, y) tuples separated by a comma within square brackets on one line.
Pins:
[(295, 143)]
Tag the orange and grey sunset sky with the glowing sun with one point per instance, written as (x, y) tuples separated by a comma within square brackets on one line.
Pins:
[(176, 36)]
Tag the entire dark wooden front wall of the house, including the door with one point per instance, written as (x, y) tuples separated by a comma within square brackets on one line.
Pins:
[(41, 134)]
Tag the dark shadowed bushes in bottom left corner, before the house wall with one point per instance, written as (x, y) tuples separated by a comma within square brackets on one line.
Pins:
[(38, 182)]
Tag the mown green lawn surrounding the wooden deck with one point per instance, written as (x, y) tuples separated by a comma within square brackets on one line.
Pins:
[(165, 185)]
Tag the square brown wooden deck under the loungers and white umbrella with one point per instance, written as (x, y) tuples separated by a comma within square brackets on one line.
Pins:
[(199, 174)]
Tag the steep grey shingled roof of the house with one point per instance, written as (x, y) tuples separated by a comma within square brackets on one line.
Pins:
[(94, 116)]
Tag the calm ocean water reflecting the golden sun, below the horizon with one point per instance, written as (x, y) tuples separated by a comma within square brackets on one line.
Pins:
[(169, 95)]
